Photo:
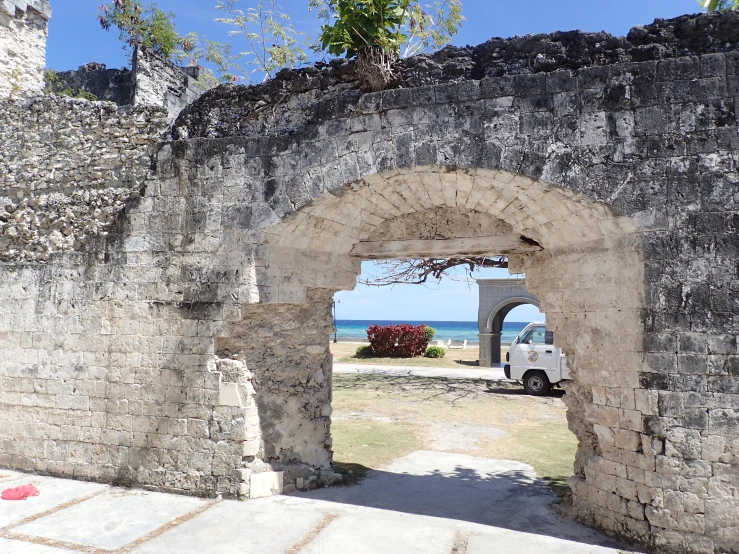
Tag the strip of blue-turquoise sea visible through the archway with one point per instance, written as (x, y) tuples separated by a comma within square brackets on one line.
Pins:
[(356, 329)]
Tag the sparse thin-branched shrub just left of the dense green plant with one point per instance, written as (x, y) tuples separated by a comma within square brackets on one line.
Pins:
[(272, 39)]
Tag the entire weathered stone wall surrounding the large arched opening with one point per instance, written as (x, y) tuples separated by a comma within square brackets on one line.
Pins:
[(167, 297)]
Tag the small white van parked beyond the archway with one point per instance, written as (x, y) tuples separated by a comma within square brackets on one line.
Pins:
[(533, 360)]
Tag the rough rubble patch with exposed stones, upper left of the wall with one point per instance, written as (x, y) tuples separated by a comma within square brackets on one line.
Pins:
[(67, 169)]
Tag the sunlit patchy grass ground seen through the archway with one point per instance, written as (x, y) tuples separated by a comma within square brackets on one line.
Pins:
[(536, 427)]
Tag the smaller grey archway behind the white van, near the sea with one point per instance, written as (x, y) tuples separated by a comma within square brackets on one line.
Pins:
[(497, 298)]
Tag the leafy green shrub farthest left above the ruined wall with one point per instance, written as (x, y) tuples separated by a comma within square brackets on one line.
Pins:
[(141, 25)]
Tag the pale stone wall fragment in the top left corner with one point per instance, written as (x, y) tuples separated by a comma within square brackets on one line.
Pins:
[(23, 30)]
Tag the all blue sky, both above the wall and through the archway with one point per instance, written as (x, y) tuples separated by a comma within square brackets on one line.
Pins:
[(75, 38)]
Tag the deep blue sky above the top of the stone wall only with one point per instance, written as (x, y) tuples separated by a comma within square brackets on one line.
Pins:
[(75, 37)]
